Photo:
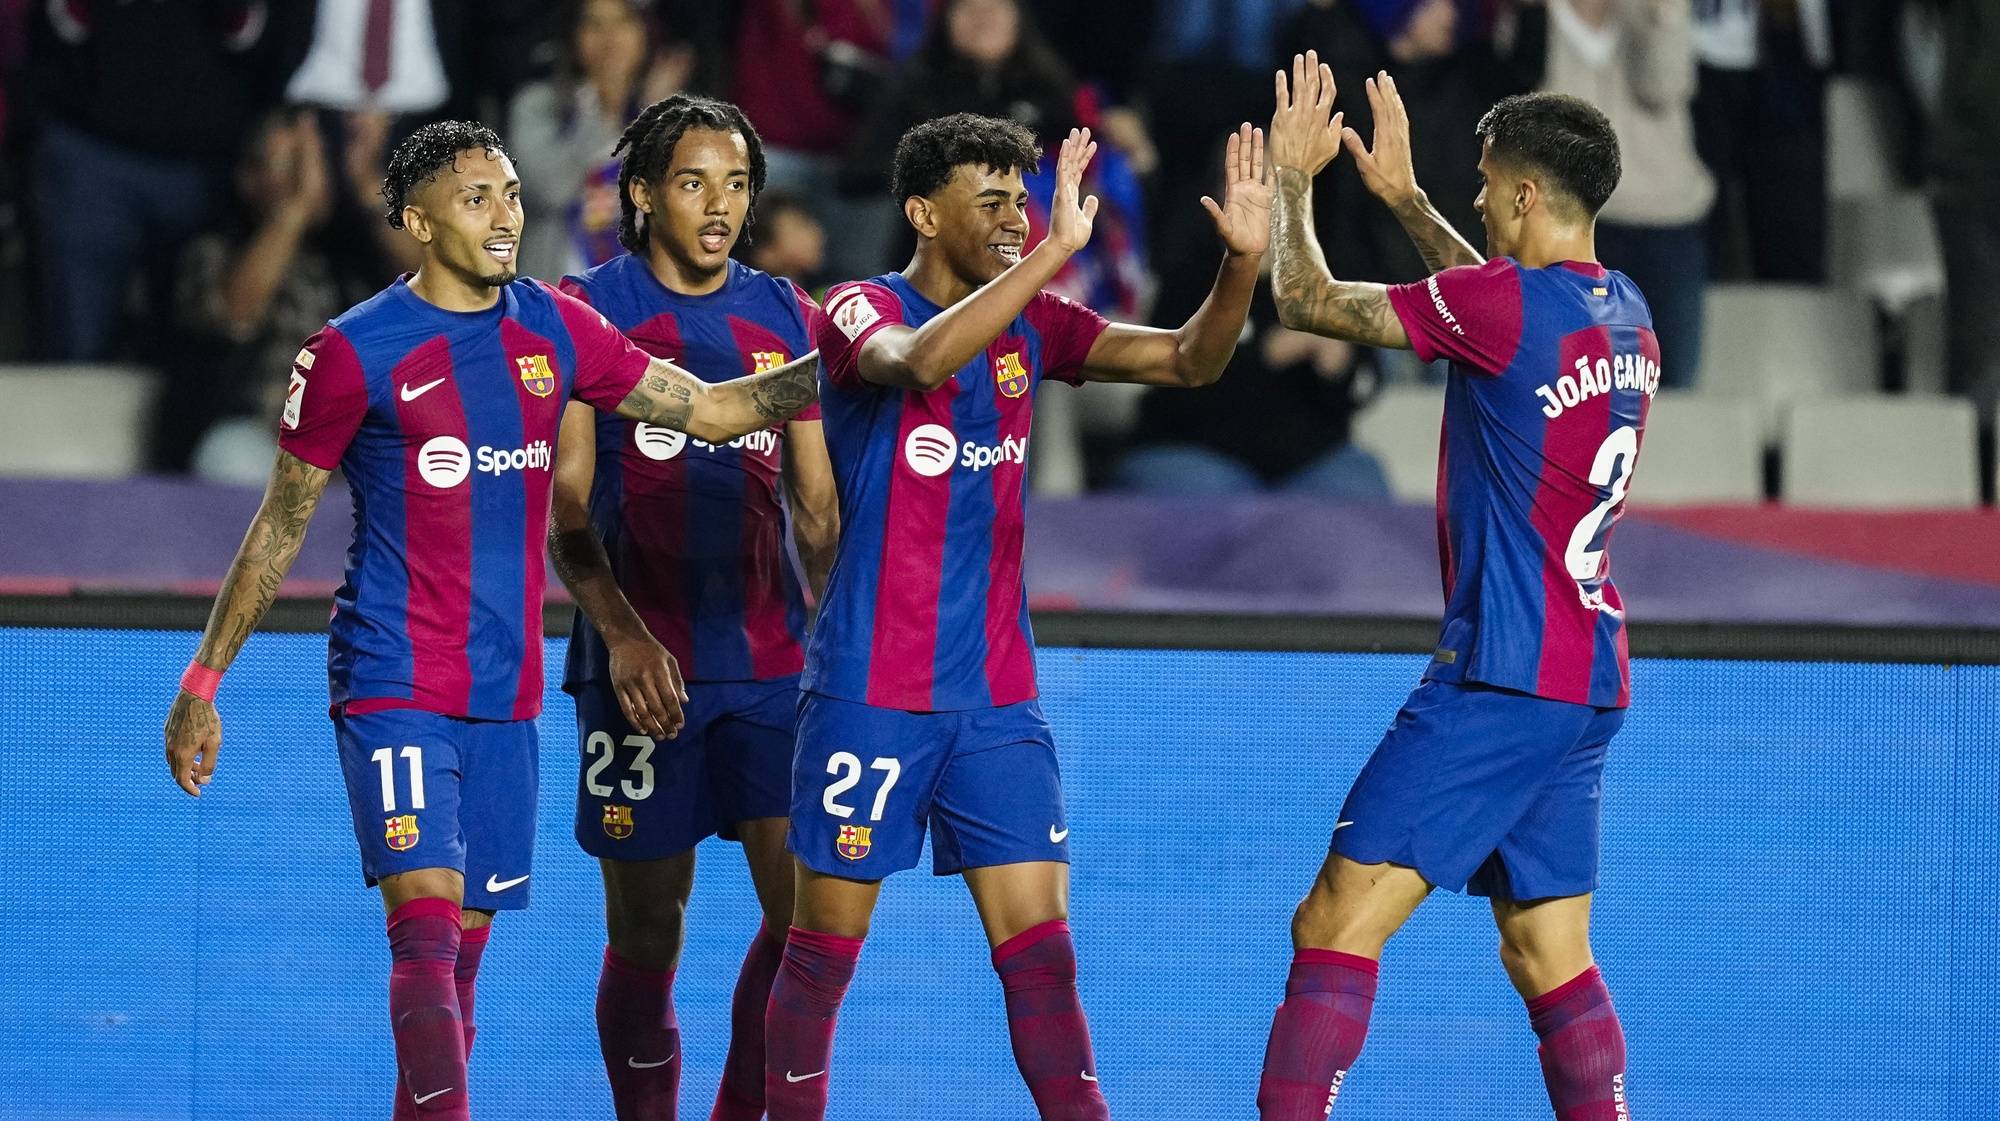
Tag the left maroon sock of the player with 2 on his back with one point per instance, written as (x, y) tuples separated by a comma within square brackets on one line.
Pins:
[(1317, 1034)]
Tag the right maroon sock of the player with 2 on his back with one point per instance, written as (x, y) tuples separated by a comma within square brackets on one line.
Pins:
[(1583, 1050)]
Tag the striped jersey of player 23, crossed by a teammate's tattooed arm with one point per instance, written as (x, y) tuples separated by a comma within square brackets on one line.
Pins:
[(695, 531)]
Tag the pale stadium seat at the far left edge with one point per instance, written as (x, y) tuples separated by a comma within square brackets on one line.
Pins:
[(75, 421)]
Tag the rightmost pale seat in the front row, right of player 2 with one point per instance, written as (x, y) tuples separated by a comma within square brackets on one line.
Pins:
[(1883, 451)]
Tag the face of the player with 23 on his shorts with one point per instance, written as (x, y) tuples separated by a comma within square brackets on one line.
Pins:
[(697, 211)]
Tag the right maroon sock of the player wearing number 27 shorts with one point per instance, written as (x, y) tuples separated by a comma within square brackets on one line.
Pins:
[(1047, 1024)]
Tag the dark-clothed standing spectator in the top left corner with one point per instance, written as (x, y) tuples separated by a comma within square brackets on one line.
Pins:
[(139, 111)]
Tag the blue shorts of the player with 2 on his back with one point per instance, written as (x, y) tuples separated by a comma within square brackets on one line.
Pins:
[(1485, 790)]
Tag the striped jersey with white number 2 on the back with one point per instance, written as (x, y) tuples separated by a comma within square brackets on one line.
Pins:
[(1551, 379)]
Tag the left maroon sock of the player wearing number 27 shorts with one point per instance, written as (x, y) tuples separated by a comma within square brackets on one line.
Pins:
[(799, 1024)]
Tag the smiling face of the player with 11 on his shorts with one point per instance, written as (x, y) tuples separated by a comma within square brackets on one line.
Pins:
[(469, 217)]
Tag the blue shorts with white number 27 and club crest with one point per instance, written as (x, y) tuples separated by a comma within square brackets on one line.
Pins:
[(867, 782)]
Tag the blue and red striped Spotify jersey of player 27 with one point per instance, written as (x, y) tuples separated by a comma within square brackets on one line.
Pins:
[(925, 608)]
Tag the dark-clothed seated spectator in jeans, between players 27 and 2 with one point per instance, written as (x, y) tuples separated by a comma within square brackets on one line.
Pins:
[(1277, 421)]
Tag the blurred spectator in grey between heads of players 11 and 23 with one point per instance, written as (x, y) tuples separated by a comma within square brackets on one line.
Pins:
[(563, 131)]
